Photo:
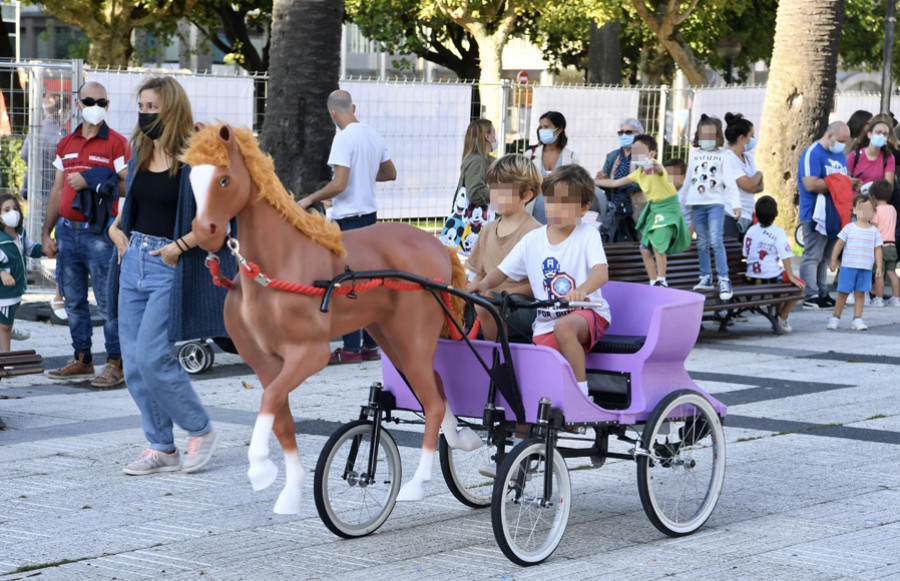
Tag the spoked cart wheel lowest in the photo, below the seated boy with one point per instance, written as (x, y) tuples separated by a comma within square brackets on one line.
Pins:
[(527, 528)]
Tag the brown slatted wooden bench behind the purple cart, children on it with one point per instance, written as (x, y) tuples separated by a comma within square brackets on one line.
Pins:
[(683, 271)]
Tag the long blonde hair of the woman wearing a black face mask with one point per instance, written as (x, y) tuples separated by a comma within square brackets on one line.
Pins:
[(174, 116)]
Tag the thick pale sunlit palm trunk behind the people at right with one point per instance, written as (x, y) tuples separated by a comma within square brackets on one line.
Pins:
[(799, 94)]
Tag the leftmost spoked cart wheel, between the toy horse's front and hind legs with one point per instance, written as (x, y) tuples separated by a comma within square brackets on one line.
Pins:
[(351, 502)]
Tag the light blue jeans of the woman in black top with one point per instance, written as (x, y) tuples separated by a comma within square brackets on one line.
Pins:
[(158, 384)]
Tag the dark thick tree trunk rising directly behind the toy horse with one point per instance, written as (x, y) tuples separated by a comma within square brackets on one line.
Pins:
[(304, 64)]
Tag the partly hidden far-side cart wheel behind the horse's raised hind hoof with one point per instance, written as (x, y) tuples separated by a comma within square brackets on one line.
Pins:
[(461, 472)]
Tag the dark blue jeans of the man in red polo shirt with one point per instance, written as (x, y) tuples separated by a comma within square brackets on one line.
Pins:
[(83, 253)]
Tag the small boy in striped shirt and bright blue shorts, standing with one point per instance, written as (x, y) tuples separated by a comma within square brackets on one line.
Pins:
[(861, 243)]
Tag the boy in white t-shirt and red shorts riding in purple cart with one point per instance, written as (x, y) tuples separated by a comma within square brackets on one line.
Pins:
[(562, 260)]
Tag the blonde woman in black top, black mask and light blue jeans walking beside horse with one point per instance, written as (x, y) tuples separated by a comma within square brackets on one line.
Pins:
[(152, 234)]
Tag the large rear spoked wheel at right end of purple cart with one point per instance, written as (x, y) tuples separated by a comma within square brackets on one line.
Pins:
[(681, 478)]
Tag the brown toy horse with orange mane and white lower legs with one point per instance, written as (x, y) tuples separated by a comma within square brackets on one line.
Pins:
[(283, 335)]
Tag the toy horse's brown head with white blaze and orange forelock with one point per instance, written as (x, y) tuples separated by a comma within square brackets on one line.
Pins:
[(220, 180)]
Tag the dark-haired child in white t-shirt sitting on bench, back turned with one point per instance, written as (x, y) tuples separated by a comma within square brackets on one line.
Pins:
[(764, 244)]
